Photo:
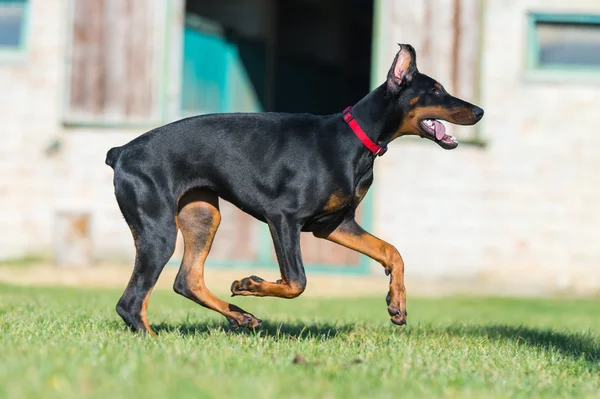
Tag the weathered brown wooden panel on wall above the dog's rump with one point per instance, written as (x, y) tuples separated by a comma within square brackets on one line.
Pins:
[(115, 59)]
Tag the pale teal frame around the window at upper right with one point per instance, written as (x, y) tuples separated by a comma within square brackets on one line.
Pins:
[(533, 48)]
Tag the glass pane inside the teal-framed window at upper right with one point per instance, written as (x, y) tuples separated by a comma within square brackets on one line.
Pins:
[(569, 44)]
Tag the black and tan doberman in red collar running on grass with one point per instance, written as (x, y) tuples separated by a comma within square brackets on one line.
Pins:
[(295, 172)]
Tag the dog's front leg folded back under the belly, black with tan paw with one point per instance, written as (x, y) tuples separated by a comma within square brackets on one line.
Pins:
[(286, 238)]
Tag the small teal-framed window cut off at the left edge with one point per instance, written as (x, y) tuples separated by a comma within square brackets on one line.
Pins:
[(12, 24)]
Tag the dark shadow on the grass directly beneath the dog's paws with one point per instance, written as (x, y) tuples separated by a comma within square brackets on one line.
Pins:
[(286, 330)]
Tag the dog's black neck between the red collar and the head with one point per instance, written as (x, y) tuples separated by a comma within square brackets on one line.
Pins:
[(378, 115)]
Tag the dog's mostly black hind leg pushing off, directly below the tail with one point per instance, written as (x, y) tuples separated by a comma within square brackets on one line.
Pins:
[(154, 243)]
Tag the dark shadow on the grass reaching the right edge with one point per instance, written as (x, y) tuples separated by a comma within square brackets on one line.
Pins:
[(576, 345)]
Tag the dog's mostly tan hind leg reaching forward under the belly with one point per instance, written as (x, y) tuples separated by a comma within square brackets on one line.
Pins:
[(198, 219)]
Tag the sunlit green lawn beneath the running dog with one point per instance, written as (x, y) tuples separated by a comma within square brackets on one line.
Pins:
[(62, 343)]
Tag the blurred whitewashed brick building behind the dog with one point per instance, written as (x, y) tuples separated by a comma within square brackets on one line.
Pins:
[(516, 203)]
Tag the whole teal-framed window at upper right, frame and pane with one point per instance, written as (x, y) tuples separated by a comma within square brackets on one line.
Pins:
[(564, 42)]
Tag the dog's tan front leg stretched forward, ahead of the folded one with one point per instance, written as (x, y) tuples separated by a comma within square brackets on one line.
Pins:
[(351, 235)]
